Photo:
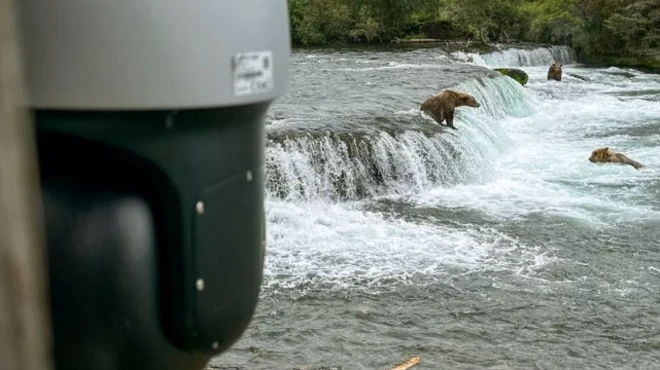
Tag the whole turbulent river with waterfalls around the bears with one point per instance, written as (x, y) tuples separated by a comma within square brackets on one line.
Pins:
[(495, 246)]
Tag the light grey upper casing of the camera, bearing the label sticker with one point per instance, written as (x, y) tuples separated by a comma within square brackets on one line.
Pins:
[(154, 54)]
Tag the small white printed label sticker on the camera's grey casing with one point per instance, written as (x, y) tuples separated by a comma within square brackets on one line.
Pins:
[(253, 72)]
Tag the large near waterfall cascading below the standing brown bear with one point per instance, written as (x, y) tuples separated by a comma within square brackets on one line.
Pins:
[(346, 166)]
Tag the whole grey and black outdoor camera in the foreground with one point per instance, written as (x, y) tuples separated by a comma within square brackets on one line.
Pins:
[(150, 131)]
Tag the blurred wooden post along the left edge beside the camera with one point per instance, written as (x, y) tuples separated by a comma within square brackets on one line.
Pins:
[(25, 335)]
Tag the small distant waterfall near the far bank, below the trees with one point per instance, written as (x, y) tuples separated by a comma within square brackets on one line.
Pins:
[(515, 57)]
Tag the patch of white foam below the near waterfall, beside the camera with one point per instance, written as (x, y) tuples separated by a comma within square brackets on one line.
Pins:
[(339, 246)]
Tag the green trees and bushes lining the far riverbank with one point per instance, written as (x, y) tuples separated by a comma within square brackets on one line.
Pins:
[(591, 27)]
